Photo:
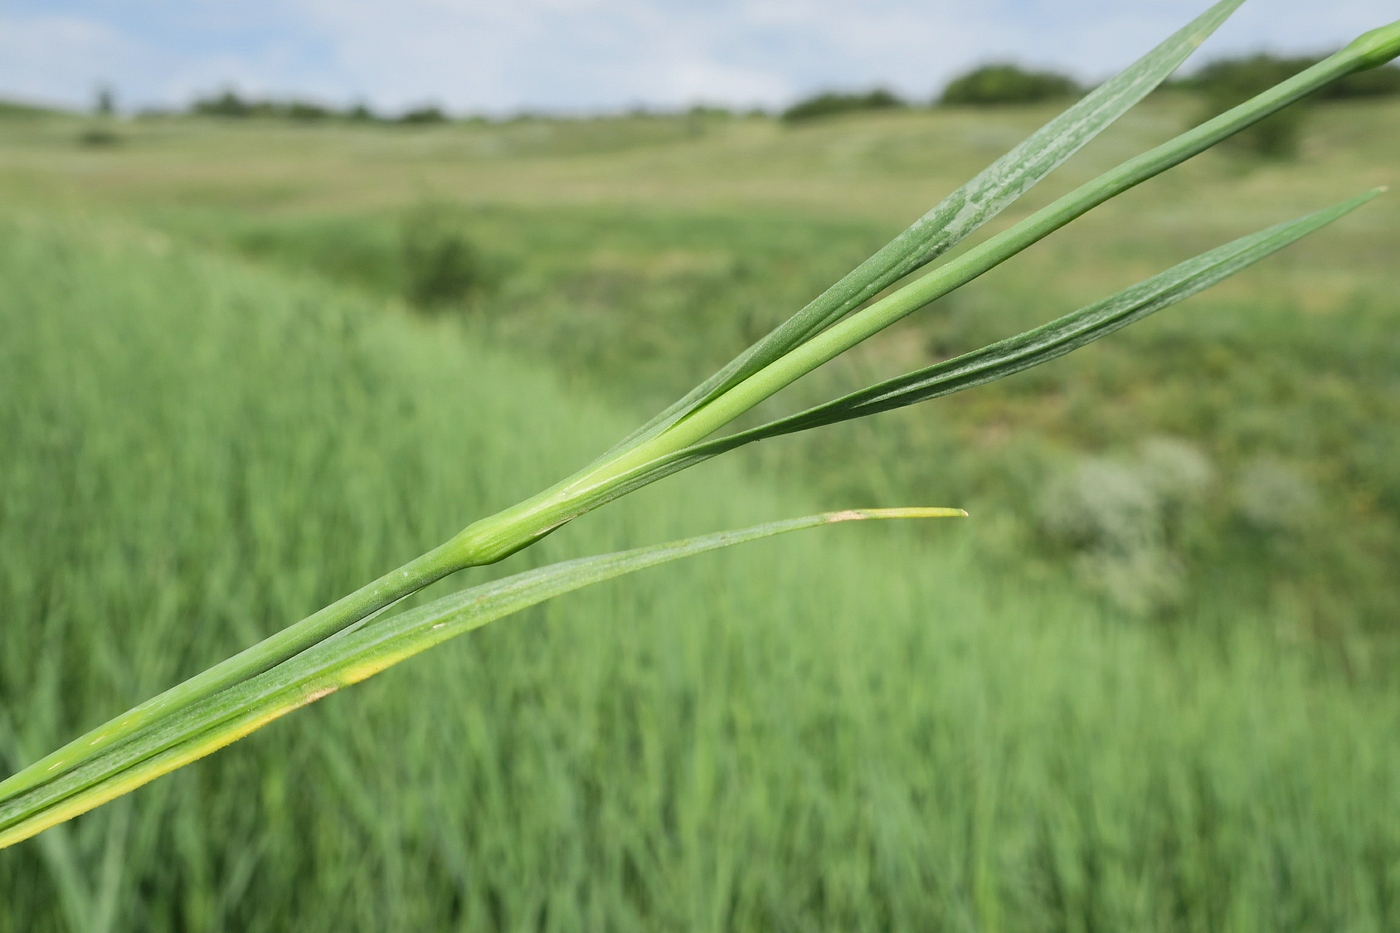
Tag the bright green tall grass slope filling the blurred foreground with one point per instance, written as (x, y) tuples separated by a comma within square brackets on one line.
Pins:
[(855, 732)]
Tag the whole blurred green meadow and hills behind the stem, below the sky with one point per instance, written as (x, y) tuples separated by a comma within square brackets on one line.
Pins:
[(250, 365)]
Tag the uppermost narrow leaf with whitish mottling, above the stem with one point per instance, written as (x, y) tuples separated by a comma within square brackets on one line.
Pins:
[(961, 214)]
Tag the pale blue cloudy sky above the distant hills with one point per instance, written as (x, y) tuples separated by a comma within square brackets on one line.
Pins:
[(584, 55)]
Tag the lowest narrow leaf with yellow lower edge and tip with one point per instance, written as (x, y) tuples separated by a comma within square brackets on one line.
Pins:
[(218, 721)]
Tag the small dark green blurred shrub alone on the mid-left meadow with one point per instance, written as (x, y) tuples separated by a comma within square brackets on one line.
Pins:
[(440, 264)]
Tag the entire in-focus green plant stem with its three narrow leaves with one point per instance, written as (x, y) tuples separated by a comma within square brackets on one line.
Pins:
[(353, 640)]
